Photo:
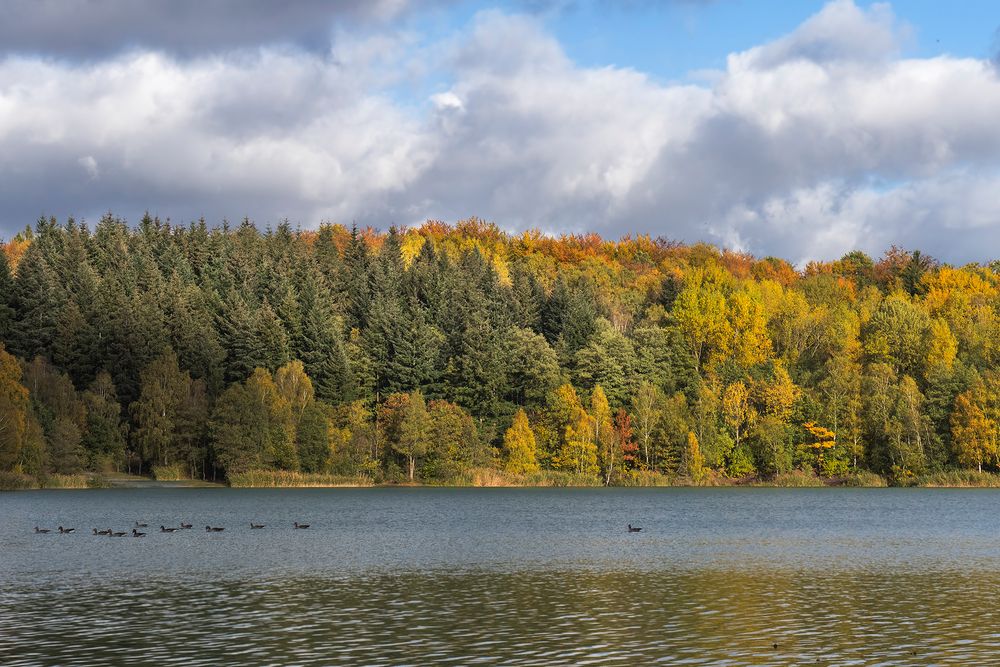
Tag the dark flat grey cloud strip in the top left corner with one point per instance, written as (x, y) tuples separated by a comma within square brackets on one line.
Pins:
[(97, 28)]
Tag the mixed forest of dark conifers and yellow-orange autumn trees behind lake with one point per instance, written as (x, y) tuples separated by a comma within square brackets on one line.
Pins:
[(461, 354)]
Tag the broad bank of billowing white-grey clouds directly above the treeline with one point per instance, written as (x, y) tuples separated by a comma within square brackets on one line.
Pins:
[(819, 142)]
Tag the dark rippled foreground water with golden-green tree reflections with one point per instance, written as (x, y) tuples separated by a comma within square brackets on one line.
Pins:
[(721, 617)]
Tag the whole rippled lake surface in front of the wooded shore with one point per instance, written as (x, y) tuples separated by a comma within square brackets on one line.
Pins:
[(503, 576)]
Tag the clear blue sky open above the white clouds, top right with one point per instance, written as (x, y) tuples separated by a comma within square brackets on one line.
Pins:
[(672, 40)]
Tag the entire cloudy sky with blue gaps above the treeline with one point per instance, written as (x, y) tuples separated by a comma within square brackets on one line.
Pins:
[(800, 129)]
